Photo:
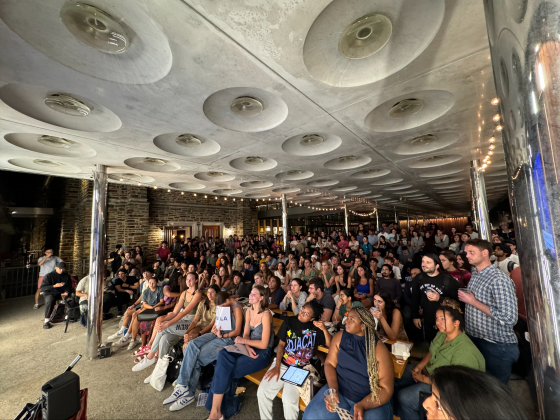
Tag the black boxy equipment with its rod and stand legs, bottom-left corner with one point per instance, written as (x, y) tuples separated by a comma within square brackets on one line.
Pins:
[(60, 398)]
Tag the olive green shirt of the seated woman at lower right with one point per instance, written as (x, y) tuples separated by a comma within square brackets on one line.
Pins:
[(460, 351)]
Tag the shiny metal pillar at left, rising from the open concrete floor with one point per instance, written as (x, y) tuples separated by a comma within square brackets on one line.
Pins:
[(96, 260)]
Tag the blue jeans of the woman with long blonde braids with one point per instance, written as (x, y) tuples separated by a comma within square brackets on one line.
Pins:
[(316, 410)]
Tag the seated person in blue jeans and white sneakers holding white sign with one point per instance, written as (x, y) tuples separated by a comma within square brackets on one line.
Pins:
[(202, 351)]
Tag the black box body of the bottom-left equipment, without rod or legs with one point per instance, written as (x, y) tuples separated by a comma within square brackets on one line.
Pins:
[(61, 396)]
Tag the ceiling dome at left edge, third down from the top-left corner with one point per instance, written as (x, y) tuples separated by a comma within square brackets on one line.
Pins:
[(50, 145)]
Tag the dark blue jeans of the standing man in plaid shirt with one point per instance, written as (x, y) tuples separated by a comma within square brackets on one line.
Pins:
[(499, 357)]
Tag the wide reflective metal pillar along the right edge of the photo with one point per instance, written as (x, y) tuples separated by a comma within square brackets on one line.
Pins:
[(525, 51)]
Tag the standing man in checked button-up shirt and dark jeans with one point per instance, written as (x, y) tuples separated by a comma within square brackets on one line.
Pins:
[(490, 311)]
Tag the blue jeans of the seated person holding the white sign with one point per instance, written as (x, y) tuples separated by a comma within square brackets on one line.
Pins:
[(200, 352)]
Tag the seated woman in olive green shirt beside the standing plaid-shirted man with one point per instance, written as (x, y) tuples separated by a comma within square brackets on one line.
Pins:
[(451, 346)]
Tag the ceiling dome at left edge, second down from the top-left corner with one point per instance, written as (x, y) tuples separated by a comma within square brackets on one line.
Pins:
[(60, 108)]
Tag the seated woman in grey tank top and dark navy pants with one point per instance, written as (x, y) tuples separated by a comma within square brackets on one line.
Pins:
[(257, 340)]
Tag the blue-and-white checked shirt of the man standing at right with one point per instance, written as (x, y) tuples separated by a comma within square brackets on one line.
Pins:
[(496, 290)]
